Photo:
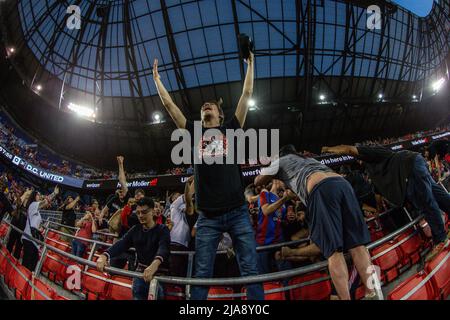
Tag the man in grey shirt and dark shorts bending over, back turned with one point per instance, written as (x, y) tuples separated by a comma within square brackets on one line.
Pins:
[(334, 217)]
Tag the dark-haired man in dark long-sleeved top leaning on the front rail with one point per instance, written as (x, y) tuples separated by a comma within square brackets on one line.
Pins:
[(151, 242)]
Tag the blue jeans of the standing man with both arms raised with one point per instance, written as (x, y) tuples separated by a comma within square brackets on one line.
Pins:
[(209, 231)]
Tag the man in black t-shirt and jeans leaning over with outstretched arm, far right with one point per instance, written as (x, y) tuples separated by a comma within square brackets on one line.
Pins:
[(401, 176)]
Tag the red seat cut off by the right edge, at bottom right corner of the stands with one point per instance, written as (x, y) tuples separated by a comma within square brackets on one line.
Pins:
[(441, 279)]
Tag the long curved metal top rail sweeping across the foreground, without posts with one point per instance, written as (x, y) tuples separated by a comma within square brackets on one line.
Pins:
[(218, 281)]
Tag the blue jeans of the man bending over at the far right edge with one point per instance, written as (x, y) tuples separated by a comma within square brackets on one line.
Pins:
[(428, 197)]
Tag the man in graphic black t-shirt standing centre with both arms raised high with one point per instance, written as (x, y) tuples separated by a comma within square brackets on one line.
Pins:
[(219, 191)]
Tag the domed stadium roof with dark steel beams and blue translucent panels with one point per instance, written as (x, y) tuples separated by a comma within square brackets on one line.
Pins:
[(322, 77)]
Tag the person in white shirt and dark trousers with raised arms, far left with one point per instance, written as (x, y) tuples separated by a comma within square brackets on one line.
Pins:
[(35, 203)]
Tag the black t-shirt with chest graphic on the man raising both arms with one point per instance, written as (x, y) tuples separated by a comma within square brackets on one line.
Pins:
[(218, 187)]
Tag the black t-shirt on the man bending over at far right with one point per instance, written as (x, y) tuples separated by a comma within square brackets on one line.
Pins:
[(389, 170)]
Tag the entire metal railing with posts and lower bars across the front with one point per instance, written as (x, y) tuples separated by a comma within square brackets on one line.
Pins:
[(187, 282)]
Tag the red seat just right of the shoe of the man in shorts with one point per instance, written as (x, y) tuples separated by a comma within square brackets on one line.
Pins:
[(426, 292)]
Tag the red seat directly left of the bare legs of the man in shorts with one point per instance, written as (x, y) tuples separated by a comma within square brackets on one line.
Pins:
[(314, 291)]
